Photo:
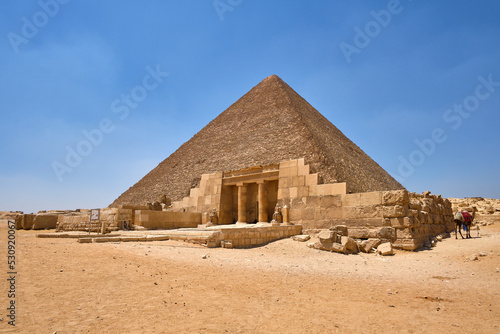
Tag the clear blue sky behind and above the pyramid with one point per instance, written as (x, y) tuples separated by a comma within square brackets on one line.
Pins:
[(122, 84)]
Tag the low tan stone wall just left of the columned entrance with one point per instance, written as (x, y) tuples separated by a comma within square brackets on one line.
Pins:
[(166, 219)]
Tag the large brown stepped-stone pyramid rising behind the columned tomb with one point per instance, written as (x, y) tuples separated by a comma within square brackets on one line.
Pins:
[(269, 124)]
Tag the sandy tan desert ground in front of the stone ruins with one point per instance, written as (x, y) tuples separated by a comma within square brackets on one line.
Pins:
[(283, 287)]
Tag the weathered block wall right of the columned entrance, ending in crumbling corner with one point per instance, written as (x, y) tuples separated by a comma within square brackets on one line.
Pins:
[(405, 219)]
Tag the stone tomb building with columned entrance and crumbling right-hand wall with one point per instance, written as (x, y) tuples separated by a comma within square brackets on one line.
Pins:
[(250, 195)]
